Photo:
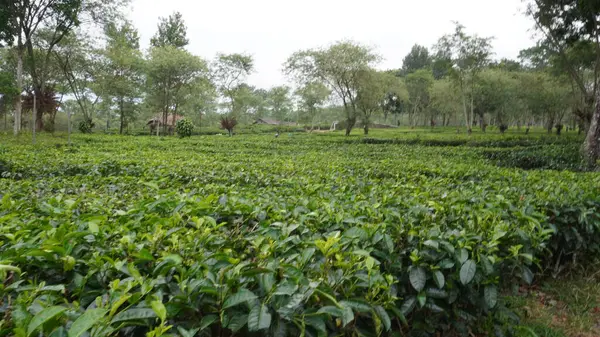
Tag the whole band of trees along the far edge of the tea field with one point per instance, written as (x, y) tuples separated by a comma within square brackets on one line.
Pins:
[(49, 57)]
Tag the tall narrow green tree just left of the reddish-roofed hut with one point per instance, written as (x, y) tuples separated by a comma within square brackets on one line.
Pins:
[(123, 76)]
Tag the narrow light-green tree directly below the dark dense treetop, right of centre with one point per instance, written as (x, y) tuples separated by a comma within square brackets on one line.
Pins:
[(419, 86)]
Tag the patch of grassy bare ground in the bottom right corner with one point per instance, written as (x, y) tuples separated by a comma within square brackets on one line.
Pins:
[(565, 307)]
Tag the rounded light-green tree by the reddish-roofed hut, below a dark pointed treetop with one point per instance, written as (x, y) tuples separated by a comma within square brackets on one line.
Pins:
[(170, 71)]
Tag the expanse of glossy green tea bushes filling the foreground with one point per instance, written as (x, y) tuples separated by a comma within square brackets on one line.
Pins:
[(428, 234)]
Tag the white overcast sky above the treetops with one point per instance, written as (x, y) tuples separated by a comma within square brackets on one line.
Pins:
[(270, 30)]
